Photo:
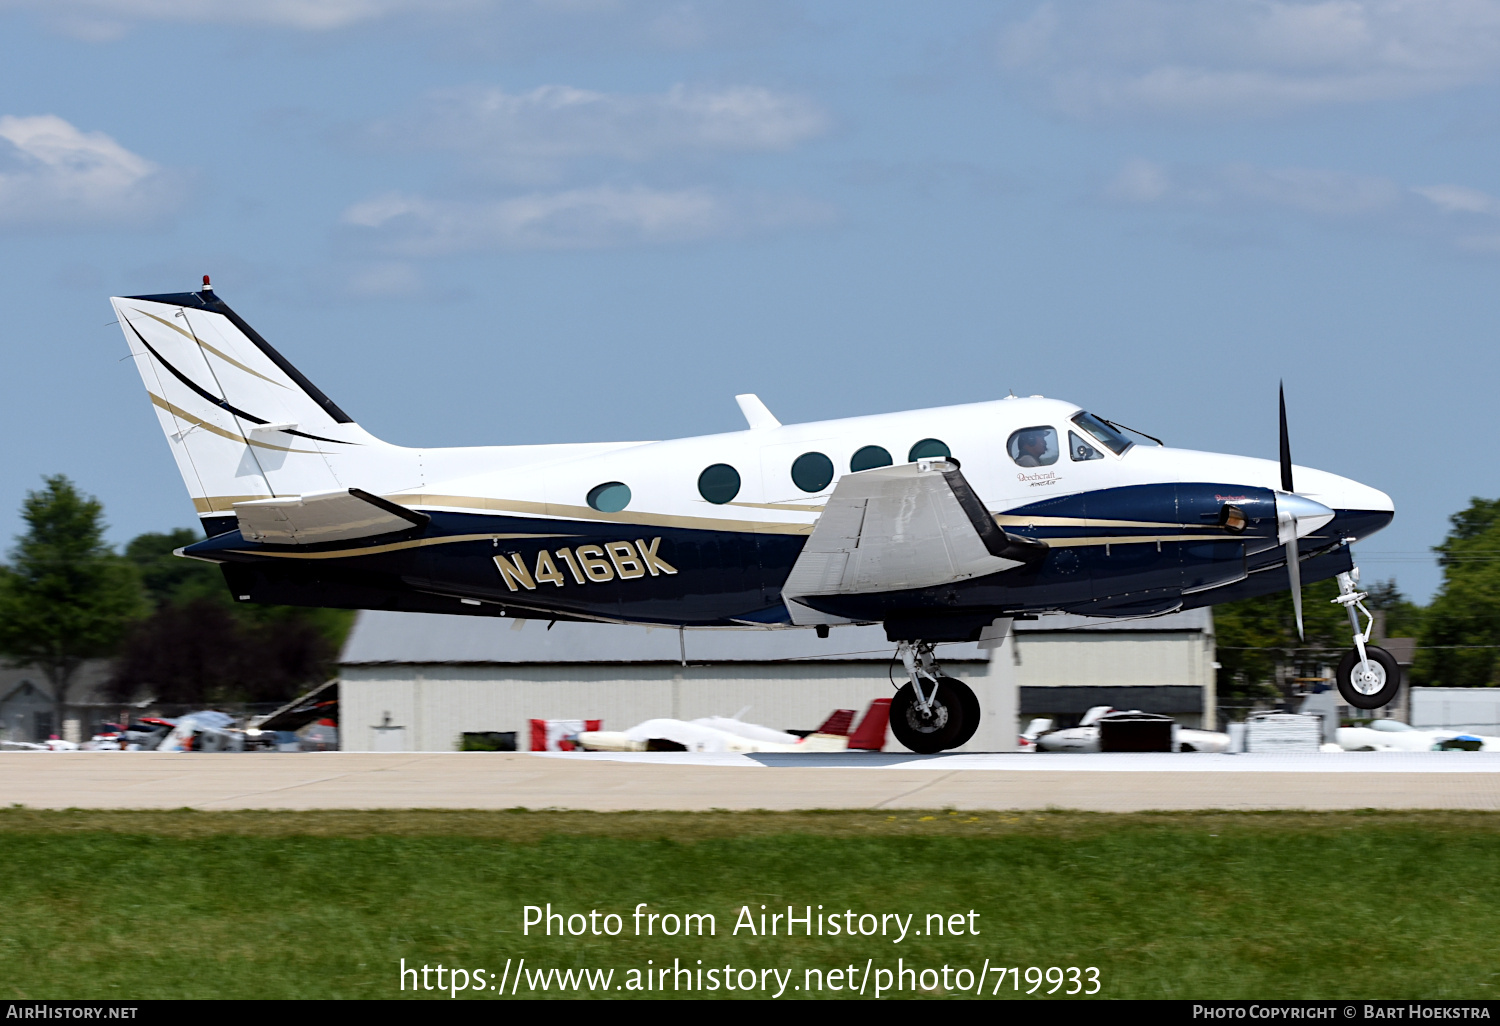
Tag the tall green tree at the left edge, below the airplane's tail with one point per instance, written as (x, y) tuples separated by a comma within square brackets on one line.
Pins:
[(67, 596)]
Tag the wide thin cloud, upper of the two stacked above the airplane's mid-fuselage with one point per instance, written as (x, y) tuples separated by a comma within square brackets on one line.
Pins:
[(530, 133)]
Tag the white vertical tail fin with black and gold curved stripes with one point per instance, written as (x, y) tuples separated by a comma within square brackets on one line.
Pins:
[(242, 422)]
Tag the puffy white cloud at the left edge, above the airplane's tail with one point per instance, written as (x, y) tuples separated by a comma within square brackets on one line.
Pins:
[(52, 175)]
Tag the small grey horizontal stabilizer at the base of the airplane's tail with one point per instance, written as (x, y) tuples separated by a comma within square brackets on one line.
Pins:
[(323, 517)]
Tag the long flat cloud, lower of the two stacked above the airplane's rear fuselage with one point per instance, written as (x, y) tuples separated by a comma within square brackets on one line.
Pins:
[(590, 218)]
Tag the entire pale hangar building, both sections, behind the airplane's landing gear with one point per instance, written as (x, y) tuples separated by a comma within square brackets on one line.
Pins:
[(419, 682)]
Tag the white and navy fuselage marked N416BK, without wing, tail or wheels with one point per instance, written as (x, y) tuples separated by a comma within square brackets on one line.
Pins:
[(514, 530)]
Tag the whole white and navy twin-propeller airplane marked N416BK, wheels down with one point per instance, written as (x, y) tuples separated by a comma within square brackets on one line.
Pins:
[(940, 524)]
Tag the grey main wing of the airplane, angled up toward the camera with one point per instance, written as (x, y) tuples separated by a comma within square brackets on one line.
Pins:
[(893, 529)]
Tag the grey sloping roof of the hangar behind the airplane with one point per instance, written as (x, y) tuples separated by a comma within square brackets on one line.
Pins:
[(383, 637)]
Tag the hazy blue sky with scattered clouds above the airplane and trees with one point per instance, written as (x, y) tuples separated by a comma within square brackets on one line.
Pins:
[(526, 221)]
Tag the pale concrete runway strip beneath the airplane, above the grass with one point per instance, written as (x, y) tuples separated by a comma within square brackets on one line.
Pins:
[(605, 782)]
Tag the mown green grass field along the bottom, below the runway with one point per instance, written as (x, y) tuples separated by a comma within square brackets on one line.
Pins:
[(326, 905)]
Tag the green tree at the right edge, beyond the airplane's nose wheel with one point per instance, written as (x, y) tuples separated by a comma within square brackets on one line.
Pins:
[(1460, 641)]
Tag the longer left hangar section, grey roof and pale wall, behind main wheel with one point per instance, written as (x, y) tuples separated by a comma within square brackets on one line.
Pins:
[(418, 682)]
